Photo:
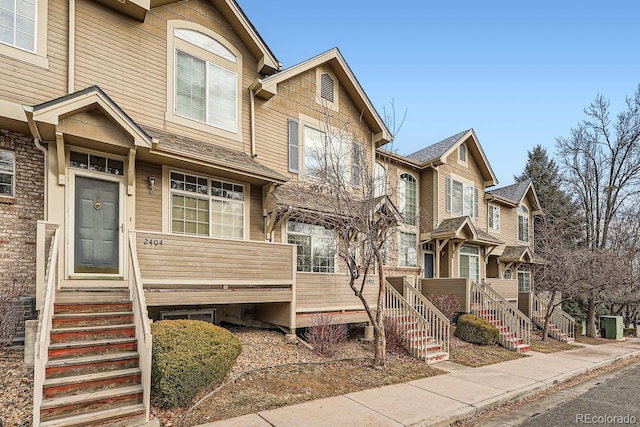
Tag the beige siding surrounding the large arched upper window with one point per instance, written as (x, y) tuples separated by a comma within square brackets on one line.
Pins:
[(139, 83)]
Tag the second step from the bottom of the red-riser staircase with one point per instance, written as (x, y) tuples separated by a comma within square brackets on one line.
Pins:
[(69, 406)]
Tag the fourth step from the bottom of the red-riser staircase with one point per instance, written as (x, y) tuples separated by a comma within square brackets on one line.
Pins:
[(90, 364)]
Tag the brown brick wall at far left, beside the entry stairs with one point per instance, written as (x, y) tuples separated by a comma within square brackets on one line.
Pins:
[(19, 215)]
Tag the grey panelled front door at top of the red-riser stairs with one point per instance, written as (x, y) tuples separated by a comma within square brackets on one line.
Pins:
[(97, 230)]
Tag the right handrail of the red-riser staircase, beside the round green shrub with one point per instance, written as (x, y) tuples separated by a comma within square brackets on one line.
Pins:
[(141, 320)]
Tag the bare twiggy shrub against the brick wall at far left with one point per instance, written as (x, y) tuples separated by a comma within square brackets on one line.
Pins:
[(12, 310)]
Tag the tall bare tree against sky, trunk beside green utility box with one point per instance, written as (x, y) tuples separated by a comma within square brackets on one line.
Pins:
[(600, 161)]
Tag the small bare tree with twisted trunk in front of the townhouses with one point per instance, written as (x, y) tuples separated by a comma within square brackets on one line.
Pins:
[(354, 204)]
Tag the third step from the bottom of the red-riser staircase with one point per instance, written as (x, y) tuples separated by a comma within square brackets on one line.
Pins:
[(65, 386)]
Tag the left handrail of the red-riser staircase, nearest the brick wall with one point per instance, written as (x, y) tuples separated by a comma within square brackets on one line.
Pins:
[(43, 338)]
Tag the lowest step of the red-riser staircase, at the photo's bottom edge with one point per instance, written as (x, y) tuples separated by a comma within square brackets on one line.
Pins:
[(116, 417)]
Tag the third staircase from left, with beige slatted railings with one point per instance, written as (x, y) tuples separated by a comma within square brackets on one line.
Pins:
[(516, 326)]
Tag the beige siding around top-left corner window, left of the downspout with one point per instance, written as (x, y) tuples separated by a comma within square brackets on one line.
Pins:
[(29, 84)]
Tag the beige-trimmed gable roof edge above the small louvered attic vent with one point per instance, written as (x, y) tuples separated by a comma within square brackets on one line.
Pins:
[(268, 87)]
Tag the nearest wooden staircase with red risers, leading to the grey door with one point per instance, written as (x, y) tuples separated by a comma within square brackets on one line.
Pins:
[(93, 375)]
